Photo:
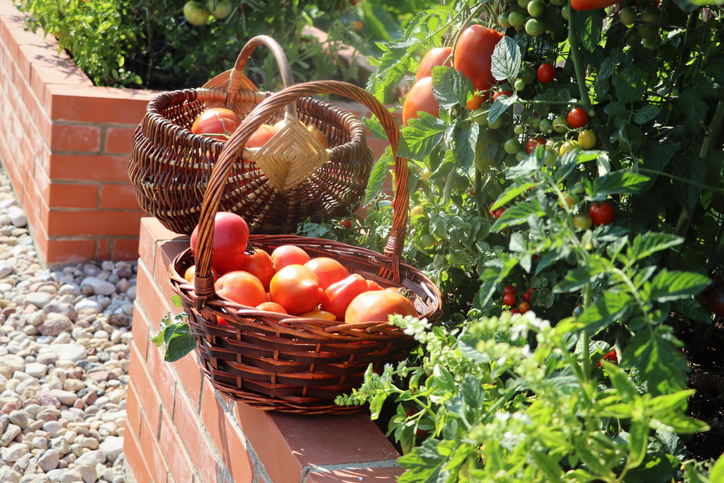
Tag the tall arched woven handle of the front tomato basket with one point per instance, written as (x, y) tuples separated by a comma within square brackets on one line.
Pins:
[(204, 282)]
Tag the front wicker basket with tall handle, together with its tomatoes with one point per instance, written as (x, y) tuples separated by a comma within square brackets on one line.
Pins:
[(285, 322)]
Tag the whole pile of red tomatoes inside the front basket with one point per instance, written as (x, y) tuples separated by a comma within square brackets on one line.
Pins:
[(289, 281)]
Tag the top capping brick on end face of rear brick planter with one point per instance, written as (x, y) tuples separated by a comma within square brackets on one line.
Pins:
[(97, 105)]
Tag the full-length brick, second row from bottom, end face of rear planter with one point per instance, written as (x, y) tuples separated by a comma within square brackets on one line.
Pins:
[(94, 223)]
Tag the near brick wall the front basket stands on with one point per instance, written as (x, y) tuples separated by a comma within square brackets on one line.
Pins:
[(181, 430)]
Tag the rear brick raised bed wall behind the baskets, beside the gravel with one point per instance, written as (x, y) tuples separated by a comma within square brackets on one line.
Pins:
[(65, 144)]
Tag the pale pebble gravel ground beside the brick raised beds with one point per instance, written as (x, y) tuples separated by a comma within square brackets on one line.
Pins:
[(64, 347)]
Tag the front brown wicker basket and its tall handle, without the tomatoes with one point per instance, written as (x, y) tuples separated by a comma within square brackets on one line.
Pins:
[(287, 363)]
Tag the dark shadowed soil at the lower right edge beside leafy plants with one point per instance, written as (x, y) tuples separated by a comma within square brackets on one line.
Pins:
[(704, 351)]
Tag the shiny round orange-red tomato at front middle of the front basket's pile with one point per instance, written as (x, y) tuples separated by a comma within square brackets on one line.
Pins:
[(296, 288)]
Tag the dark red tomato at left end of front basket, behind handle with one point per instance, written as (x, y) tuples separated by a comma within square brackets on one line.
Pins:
[(231, 234)]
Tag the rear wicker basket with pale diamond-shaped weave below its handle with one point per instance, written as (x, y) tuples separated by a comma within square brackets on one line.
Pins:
[(291, 178)]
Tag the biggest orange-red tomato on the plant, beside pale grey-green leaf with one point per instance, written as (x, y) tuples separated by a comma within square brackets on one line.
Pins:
[(473, 54)]
